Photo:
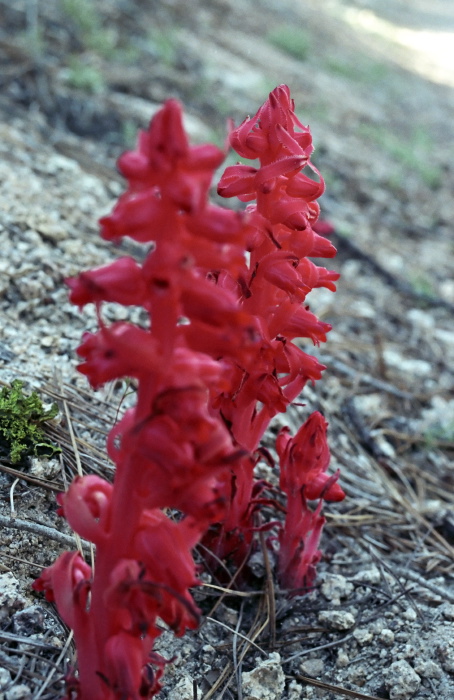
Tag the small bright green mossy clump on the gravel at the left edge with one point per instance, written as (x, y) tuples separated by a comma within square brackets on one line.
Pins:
[(21, 419)]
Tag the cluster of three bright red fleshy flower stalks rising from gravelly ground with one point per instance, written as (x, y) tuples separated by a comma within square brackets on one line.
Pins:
[(224, 293)]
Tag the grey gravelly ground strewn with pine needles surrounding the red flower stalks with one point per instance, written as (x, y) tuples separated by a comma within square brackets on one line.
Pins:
[(375, 81)]
